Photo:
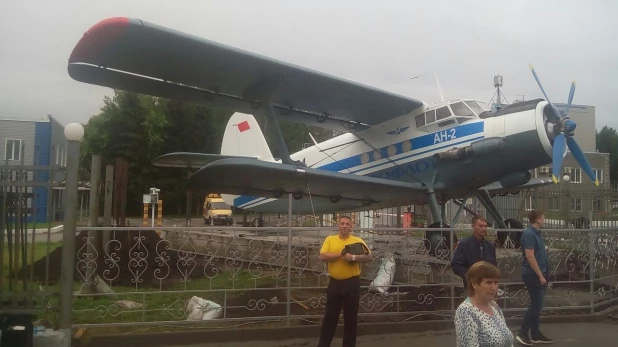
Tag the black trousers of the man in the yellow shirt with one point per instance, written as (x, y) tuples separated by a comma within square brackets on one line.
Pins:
[(346, 294)]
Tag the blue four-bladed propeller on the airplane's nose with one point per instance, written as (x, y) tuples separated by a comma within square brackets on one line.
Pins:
[(564, 128)]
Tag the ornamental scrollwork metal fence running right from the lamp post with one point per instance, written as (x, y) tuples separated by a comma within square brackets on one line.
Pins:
[(222, 277)]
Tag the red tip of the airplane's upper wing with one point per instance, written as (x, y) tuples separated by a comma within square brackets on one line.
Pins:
[(97, 37)]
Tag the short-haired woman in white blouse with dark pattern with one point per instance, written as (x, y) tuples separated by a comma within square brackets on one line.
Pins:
[(478, 320)]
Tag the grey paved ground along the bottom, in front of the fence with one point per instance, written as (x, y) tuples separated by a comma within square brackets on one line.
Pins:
[(571, 335)]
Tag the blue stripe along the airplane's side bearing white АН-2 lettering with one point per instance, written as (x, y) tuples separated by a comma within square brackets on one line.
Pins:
[(443, 136)]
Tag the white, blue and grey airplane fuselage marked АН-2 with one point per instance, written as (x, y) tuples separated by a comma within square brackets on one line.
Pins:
[(496, 148)]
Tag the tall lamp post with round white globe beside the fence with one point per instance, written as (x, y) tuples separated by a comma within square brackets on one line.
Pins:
[(74, 133)]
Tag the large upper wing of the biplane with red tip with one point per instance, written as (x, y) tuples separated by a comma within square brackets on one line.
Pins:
[(131, 54)]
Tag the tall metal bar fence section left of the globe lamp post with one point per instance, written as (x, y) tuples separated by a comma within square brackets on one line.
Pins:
[(28, 196)]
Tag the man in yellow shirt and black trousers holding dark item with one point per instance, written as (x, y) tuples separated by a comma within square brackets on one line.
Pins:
[(344, 282)]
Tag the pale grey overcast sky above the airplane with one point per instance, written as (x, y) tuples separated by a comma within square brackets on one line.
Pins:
[(382, 44)]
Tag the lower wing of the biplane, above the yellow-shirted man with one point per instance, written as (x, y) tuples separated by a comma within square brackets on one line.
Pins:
[(241, 176)]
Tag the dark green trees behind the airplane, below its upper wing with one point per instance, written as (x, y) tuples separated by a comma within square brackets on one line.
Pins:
[(140, 128)]
